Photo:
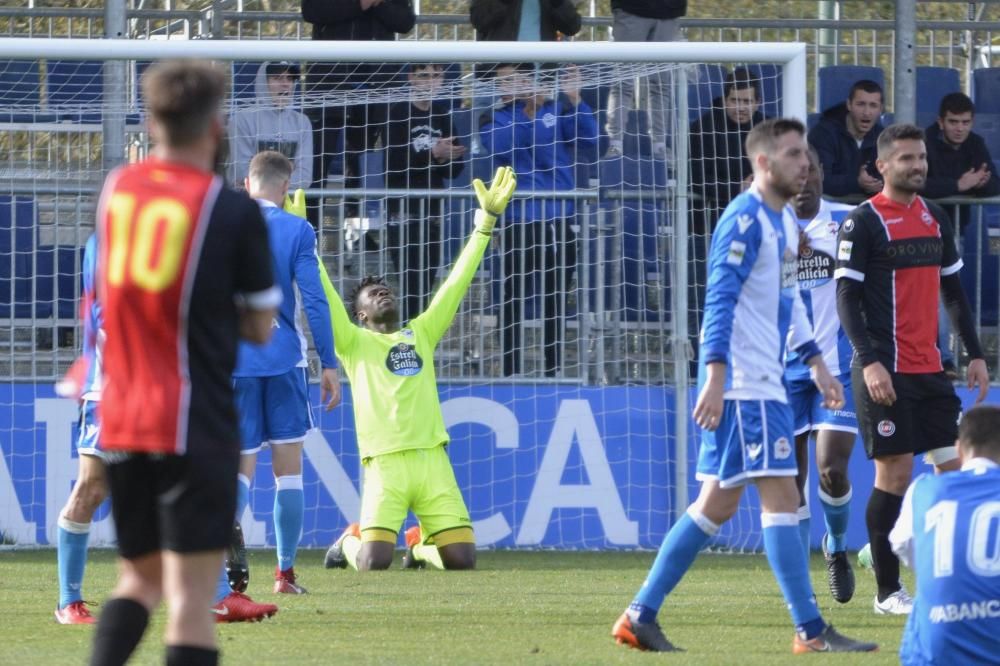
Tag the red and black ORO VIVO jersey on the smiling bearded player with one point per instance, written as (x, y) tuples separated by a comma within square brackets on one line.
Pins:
[(899, 252)]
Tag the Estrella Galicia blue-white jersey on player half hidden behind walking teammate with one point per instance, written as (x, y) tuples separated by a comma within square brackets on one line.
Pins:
[(818, 290)]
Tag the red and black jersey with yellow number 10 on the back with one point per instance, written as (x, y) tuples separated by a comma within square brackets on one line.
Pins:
[(177, 249)]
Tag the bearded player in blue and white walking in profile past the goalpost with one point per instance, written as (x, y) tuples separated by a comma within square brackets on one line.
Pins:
[(752, 310)]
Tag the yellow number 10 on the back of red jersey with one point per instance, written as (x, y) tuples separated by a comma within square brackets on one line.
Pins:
[(133, 235)]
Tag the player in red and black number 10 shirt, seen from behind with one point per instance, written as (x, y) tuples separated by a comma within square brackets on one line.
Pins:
[(184, 268)]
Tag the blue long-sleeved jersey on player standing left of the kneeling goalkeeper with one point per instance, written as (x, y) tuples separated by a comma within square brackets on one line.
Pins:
[(296, 272)]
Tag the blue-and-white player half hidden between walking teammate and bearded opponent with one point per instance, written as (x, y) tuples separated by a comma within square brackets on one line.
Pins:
[(834, 429)]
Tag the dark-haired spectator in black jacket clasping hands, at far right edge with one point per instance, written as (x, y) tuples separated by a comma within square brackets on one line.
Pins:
[(958, 161)]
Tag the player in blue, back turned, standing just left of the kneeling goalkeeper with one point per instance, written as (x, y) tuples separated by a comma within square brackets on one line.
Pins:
[(271, 382)]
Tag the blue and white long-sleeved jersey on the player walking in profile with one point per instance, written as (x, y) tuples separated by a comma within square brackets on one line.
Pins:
[(752, 304)]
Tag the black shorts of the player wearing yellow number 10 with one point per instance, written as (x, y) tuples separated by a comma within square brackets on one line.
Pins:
[(172, 502)]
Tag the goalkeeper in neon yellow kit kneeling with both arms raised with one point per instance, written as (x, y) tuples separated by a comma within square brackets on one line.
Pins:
[(400, 429)]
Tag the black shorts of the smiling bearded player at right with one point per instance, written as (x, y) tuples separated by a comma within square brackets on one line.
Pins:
[(924, 416)]
